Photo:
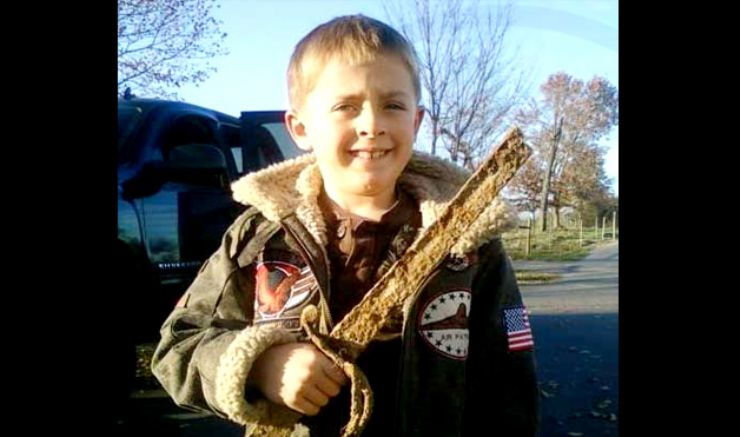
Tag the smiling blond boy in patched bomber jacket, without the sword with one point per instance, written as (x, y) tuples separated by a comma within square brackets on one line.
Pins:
[(320, 230)]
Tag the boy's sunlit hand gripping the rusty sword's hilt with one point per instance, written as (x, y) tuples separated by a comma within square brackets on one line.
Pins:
[(297, 375)]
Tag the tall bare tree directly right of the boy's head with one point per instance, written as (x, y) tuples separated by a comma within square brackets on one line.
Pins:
[(470, 85)]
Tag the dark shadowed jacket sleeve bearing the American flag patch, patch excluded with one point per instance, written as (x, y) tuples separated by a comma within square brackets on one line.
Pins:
[(502, 392)]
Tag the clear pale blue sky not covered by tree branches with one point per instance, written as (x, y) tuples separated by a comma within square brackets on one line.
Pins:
[(578, 37)]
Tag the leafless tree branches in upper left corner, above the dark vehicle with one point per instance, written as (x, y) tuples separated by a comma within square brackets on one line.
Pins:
[(164, 44)]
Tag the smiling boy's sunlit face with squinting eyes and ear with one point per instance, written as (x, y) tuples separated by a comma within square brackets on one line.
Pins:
[(361, 122)]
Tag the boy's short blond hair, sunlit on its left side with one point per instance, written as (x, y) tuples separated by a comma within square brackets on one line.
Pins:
[(355, 39)]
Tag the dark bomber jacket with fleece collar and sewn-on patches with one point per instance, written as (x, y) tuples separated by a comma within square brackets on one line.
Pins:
[(466, 361)]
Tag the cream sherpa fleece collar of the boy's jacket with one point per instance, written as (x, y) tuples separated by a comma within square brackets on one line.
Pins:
[(293, 186)]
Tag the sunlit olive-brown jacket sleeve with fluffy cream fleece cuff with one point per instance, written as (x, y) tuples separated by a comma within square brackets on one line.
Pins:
[(207, 343)]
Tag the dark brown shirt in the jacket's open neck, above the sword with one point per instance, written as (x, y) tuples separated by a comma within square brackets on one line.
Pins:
[(358, 246)]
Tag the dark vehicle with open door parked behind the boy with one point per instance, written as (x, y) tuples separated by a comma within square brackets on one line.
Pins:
[(176, 162)]
